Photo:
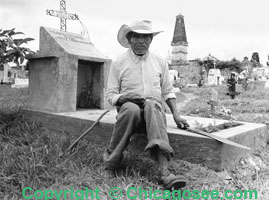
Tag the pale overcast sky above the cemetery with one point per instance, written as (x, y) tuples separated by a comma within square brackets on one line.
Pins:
[(226, 29)]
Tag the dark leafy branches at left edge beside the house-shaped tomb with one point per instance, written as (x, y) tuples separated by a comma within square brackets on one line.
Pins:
[(11, 49)]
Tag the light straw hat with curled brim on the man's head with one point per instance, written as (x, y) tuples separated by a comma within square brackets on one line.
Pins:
[(143, 27)]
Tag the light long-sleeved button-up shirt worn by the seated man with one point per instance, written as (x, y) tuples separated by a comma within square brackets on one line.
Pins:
[(146, 76)]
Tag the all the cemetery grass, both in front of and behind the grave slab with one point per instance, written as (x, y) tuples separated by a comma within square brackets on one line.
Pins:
[(29, 153)]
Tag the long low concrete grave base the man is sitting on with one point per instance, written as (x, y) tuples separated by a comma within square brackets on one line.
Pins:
[(187, 146)]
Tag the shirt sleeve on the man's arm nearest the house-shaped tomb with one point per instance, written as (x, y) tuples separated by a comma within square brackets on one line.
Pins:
[(113, 85)]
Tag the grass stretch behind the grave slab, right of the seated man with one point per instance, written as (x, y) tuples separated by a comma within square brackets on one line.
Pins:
[(250, 105)]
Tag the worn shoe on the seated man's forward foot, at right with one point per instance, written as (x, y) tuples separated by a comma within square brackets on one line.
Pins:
[(172, 181)]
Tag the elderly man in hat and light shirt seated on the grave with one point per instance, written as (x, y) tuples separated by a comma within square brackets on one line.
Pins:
[(138, 81)]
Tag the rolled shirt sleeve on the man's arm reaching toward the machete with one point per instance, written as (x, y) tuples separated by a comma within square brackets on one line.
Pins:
[(166, 85)]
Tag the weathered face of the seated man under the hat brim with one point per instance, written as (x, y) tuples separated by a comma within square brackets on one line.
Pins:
[(140, 43)]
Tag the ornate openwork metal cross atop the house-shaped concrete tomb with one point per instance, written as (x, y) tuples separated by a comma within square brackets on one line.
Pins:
[(63, 15)]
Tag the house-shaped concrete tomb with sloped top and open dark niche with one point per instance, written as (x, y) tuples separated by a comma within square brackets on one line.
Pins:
[(65, 63)]
